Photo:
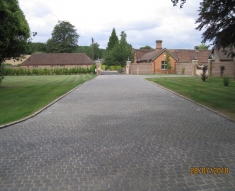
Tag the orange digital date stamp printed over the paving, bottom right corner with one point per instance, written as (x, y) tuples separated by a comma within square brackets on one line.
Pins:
[(209, 170)]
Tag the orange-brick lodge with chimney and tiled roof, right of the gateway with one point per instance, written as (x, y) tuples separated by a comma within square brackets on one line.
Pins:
[(179, 58)]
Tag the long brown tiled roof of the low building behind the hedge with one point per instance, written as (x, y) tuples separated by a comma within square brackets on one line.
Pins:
[(58, 59)]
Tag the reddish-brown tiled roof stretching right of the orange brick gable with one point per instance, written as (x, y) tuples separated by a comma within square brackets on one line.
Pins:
[(186, 55)]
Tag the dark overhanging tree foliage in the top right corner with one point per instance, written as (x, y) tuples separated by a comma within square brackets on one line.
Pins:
[(217, 17)]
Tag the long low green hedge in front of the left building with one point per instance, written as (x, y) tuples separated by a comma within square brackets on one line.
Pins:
[(47, 71)]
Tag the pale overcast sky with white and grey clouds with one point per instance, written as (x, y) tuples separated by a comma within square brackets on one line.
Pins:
[(144, 22)]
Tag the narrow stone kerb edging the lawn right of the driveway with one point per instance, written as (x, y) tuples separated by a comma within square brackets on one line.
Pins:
[(214, 111)]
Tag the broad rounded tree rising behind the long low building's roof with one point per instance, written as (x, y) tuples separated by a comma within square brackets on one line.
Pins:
[(64, 38)]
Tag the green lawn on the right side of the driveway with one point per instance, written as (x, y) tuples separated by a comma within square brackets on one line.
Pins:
[(211, 93)]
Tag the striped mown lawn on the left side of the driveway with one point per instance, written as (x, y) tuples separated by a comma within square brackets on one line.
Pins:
[(24, 95)]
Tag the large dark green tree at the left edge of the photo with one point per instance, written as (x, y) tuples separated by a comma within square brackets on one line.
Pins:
[(14, 32)]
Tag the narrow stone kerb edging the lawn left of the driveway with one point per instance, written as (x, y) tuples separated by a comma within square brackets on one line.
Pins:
[(39, 111)]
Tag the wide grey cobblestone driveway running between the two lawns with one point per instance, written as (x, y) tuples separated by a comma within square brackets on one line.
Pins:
[(118, 133)]
